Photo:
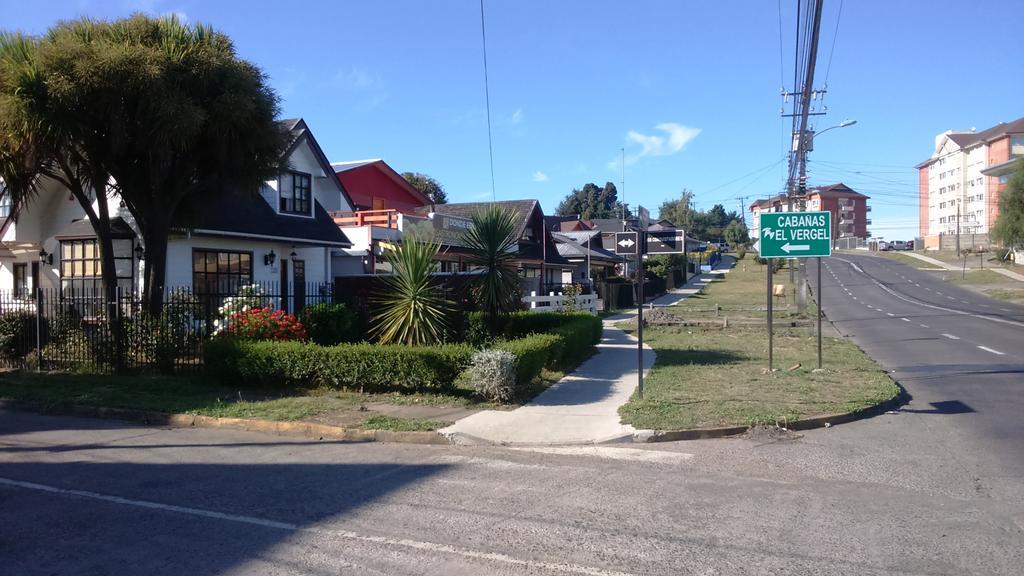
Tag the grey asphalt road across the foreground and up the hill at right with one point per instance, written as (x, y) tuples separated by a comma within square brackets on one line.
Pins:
[(935, 488)]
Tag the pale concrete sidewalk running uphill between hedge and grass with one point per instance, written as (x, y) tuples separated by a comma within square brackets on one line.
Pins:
[(583, 407)]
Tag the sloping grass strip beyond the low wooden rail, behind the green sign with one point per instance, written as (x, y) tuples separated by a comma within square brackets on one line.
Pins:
[(742, 294)]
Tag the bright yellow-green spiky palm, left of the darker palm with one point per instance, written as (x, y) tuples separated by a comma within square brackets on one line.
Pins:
[(413, 310)]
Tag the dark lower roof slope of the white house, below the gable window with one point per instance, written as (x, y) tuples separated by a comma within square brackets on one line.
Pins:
[(238, 215)]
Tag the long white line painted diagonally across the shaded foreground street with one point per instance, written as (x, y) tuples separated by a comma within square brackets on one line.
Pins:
[(565, 568)]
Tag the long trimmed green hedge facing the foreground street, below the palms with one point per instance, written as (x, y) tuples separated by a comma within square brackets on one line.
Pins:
[(365, 367)]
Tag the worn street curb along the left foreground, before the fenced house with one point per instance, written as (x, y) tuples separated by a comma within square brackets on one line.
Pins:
[(307, 430)]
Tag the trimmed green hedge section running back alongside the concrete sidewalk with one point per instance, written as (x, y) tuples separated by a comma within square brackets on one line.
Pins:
[(564, 346)]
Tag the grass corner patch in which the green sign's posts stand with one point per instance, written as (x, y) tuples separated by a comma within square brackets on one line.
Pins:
[(713, 378)]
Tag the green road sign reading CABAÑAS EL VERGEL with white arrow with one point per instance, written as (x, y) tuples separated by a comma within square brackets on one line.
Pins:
[(795, 235)]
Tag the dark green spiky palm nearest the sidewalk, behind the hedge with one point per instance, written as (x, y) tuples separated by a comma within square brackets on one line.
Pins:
[(494, 245)]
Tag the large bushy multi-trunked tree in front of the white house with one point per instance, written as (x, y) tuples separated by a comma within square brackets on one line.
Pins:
[(161, 113)]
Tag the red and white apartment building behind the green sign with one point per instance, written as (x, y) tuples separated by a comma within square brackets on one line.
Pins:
[(849, 210)]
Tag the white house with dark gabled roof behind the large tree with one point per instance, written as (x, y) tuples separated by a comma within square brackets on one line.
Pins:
[(283, 235)]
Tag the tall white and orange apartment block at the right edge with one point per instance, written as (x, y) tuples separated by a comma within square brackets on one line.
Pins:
[(960, 186)]
